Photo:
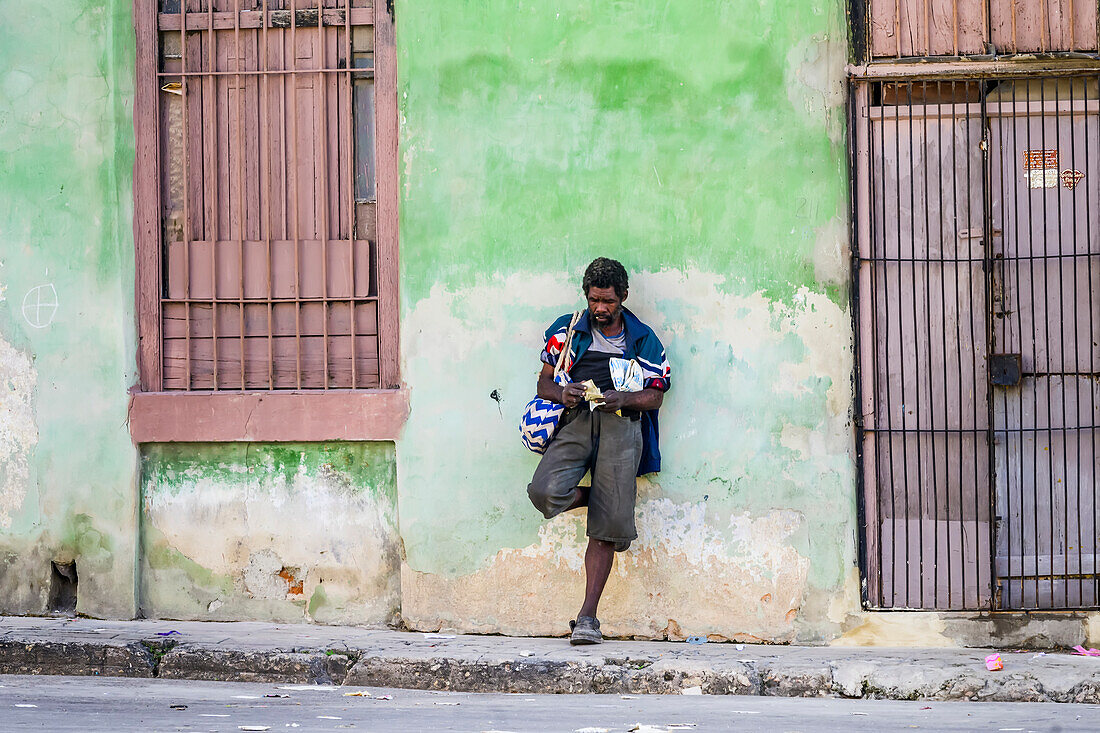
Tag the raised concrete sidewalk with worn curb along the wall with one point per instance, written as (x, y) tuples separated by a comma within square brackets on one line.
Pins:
[(347, 655)]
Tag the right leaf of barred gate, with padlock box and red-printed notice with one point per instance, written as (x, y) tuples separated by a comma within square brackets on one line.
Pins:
[(1044, 187)]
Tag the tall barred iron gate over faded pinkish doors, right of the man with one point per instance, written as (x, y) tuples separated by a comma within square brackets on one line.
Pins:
[(977, 385)]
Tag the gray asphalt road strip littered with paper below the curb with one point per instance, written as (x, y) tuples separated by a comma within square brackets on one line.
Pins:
[(94, 704)]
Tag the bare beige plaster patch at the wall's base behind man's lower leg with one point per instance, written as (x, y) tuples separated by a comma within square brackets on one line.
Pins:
[(680, 577)]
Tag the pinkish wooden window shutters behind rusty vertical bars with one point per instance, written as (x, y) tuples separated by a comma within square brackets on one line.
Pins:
[(269, 261)]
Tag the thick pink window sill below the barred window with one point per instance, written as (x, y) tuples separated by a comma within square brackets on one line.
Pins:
[(268, 417)]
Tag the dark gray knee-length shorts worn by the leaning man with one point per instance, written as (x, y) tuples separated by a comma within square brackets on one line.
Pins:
[(611, 447)]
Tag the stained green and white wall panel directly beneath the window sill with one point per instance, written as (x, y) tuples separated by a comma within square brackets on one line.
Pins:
[(288, 532)]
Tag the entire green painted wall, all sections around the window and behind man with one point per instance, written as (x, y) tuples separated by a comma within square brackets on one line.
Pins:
[(700, 144)]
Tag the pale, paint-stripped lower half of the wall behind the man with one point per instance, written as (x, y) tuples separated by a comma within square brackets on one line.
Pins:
[(753, 515)]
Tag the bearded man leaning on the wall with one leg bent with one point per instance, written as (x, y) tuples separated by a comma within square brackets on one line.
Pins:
[(611, 432)]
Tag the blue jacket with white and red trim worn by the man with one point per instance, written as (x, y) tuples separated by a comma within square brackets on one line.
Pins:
[(642, 344)]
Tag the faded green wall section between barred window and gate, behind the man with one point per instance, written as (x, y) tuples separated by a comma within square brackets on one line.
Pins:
[(702, 145)]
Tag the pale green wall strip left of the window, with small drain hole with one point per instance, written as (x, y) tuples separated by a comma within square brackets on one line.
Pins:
[(68, 469)]
